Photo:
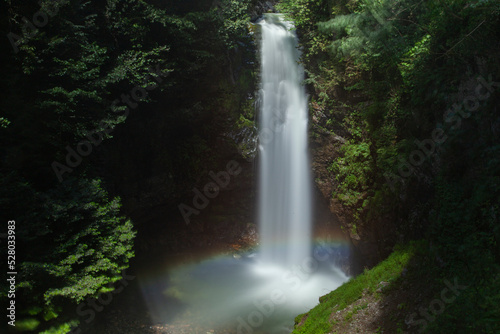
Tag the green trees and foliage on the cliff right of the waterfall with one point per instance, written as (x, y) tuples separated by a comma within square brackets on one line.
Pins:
[(387, 74)]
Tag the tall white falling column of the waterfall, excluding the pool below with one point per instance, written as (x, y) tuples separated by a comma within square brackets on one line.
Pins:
[(284, 171)]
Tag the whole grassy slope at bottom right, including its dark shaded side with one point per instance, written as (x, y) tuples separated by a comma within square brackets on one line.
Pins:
[(409, 292)]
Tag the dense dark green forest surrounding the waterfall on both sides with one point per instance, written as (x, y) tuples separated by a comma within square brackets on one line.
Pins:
[(111, 109)]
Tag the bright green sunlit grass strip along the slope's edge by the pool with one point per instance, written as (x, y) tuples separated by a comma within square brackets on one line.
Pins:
[(318, 319)]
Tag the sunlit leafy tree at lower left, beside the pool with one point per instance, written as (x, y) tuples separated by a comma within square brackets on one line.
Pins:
[(72, 244)]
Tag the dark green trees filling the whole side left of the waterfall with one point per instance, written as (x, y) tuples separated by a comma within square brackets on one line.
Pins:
[(61, 86)]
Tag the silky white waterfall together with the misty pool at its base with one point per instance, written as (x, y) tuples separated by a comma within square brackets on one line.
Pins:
[(250, 293)]
